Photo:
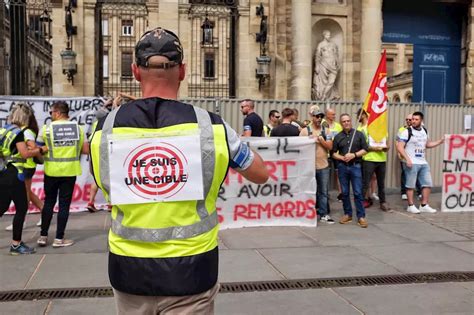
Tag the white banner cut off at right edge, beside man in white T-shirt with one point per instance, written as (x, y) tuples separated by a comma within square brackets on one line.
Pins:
[(458, 173)]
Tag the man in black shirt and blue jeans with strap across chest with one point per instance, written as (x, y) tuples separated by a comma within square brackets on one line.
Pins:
[(349, 146)]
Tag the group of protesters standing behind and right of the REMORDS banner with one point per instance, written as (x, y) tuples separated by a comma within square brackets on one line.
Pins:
[(356, 161)]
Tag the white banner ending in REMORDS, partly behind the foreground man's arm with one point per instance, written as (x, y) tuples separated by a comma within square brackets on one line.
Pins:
[(288, 197)]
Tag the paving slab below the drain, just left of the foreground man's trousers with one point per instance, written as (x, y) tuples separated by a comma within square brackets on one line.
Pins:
[(103, 306)]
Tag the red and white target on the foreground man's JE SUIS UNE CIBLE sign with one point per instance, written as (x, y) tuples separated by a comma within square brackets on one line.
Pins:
[(156, 170)]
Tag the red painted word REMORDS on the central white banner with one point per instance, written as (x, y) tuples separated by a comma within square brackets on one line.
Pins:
[(287, 209)]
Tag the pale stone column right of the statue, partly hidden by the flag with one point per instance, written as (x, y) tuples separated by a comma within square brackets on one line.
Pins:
[(371, 42)]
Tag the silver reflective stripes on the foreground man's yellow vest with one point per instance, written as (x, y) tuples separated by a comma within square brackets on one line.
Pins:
[(207, 223)]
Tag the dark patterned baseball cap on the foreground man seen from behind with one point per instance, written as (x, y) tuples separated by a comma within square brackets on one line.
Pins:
[(159, 42)]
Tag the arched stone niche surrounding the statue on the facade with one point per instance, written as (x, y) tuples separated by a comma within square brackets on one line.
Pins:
[(337, 37)]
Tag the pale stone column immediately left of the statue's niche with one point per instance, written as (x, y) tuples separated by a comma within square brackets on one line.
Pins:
[(301, 59)]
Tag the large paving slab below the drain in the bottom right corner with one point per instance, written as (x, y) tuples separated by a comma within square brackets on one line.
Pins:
[(434, 298)]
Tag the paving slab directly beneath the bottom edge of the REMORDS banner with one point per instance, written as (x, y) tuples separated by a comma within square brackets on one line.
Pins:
[(265, 237)]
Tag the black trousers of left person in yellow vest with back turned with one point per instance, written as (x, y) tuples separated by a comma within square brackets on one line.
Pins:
[(54, 186)]
